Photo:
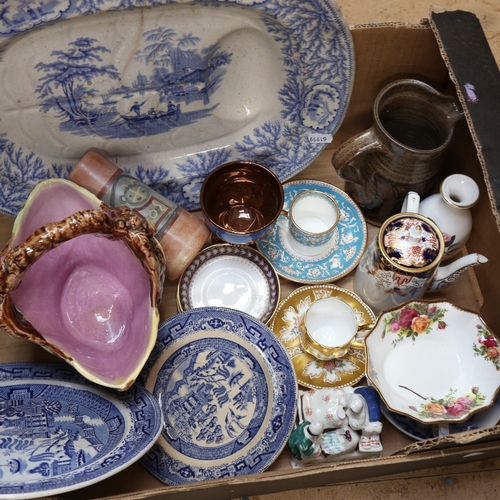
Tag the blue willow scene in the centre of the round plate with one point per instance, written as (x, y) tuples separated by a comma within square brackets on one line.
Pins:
[(212, 397)]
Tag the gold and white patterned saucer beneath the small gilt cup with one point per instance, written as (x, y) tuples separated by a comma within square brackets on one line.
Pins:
[(312, 372)]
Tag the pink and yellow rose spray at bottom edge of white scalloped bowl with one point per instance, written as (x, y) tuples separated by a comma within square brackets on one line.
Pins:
[(450, 407)]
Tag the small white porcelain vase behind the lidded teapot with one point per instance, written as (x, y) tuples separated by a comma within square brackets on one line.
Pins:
[(450, 210)]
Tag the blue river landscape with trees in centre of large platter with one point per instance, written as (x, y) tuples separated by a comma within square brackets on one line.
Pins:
[(182, 74)]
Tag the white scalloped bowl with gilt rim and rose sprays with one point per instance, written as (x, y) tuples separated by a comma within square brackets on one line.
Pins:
[(433, 361)]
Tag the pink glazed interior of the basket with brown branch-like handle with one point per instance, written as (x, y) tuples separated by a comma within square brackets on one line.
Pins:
[(90, 298)]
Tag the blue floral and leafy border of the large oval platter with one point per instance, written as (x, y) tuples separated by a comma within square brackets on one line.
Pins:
[(325, 60)]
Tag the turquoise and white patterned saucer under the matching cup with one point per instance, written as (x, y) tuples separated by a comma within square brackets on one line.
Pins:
[(333, 260)]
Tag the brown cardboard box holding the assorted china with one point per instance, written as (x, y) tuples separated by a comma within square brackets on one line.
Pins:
[(445, 52)]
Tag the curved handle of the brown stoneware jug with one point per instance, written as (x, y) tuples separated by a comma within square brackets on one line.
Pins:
[(360, 144)]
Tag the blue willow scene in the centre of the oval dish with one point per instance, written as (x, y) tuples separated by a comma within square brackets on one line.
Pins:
[(57, 437)]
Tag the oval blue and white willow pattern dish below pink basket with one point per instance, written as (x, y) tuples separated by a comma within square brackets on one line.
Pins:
[(59, 432)]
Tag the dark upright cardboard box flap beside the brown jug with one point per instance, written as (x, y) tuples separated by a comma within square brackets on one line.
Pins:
[(474, 71)]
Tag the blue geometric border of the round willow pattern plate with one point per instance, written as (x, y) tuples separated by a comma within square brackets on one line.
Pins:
[(282, 403)]
